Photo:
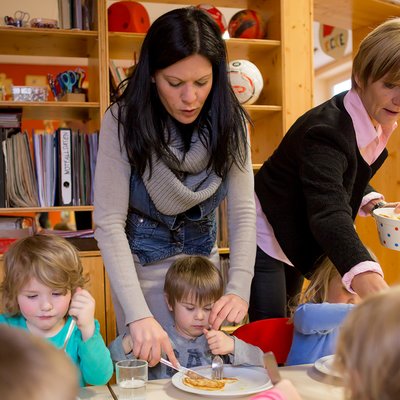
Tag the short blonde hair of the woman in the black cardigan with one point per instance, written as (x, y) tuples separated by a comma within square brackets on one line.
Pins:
[(378, 55)]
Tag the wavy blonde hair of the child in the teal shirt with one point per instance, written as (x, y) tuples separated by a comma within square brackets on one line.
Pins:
[(50, 259)]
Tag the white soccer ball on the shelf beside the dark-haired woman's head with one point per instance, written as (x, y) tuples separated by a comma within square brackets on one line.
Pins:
[(246, 80)]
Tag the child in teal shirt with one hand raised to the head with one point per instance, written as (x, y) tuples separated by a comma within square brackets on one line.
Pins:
[(43, 291)]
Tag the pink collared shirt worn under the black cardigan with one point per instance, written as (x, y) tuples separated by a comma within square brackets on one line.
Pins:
[(371, 143)]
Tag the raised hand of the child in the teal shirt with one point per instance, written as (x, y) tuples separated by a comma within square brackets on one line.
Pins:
[(82, 308)]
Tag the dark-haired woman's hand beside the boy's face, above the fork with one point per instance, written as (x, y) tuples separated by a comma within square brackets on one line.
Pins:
[(229, 307)]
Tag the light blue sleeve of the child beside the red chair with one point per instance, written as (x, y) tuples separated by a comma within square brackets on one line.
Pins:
[(312, 318)]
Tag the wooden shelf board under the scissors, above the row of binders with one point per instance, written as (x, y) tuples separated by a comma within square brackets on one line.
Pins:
[(54, 109)]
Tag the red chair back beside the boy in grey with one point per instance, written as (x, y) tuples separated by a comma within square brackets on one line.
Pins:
[(272, 334)]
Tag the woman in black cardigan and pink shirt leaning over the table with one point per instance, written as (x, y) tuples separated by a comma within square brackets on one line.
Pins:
[(309, 192)]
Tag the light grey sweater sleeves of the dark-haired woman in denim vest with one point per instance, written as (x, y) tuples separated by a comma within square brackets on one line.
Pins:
[(111, 208)]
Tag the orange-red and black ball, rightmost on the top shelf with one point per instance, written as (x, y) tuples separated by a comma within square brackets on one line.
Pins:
[(247, 24)]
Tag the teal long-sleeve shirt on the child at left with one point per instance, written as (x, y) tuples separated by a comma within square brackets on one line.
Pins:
[(91, 356)]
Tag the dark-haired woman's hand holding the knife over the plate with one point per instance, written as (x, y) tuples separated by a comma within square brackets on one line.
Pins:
[(149, 340)]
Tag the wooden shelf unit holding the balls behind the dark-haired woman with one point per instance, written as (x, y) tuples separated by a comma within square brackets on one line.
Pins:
[(278, 57)]
